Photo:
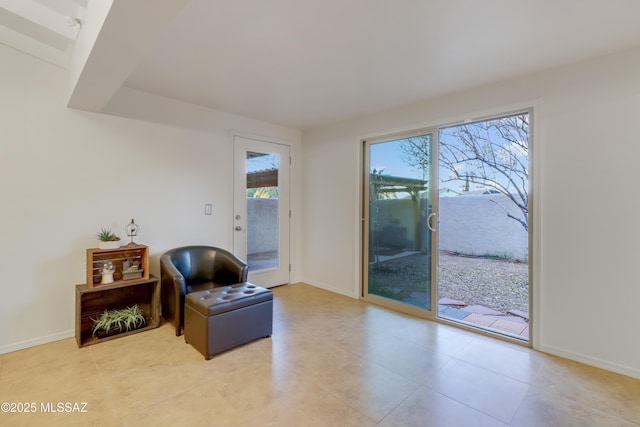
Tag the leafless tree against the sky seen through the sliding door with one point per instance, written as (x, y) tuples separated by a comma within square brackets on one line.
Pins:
[(492, 154)]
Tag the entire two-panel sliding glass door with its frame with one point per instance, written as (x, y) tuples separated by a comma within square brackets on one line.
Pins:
[(446, 224)]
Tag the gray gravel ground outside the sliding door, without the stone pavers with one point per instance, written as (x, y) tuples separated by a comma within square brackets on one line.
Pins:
[(497, 284)]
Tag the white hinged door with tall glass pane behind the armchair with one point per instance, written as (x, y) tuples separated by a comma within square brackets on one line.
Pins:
[(261, 209)]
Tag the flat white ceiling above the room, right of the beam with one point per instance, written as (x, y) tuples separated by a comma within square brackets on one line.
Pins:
[(304, 63)]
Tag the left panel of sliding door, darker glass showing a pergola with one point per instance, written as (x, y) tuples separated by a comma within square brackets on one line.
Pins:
[(400, 240)]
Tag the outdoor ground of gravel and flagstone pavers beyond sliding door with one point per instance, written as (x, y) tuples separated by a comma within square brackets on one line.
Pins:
[(483, 292)]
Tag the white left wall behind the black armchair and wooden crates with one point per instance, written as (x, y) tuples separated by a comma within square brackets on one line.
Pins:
[(65, 173)]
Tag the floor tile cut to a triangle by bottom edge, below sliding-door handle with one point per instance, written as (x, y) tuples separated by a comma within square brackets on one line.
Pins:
[(428, 408)]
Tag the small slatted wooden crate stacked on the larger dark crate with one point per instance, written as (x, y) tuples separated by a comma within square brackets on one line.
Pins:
[(97, 257)]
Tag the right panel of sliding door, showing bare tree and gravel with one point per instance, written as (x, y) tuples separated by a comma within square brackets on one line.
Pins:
[(483, 271)]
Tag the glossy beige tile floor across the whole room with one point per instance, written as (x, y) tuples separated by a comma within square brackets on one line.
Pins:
[(332, 361)]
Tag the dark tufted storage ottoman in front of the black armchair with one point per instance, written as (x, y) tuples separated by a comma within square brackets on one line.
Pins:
[(222, 318)]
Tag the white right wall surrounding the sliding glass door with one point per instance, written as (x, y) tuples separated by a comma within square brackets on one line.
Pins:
[(585, 151)]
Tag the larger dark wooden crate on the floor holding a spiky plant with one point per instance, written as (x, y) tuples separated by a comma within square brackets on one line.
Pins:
[(91, 301)]
